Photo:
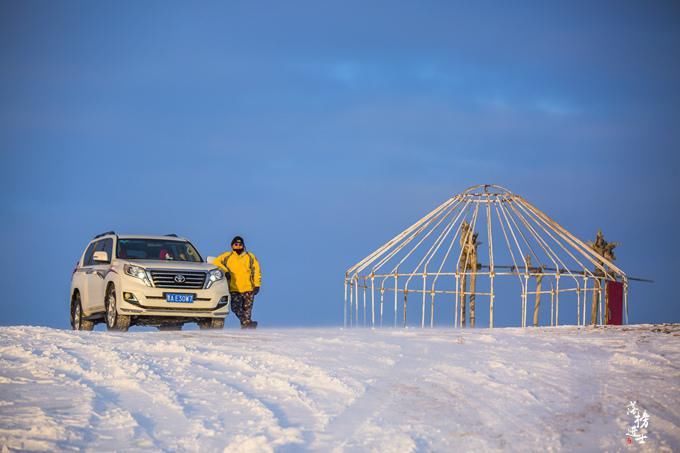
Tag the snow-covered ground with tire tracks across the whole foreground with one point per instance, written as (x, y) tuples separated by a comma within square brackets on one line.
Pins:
[(545, 389)]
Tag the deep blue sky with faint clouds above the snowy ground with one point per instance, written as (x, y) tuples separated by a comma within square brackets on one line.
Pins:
[(318, 130)]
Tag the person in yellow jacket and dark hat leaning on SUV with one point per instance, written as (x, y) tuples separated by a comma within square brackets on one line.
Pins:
[(243, 271)]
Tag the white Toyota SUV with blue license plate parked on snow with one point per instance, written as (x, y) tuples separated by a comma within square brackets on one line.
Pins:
[(146, 280)]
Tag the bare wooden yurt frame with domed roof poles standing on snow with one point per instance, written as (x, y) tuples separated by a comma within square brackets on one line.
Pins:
[(541, 251)]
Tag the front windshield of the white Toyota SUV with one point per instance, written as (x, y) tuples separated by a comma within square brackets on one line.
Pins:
[(157, 249)]
